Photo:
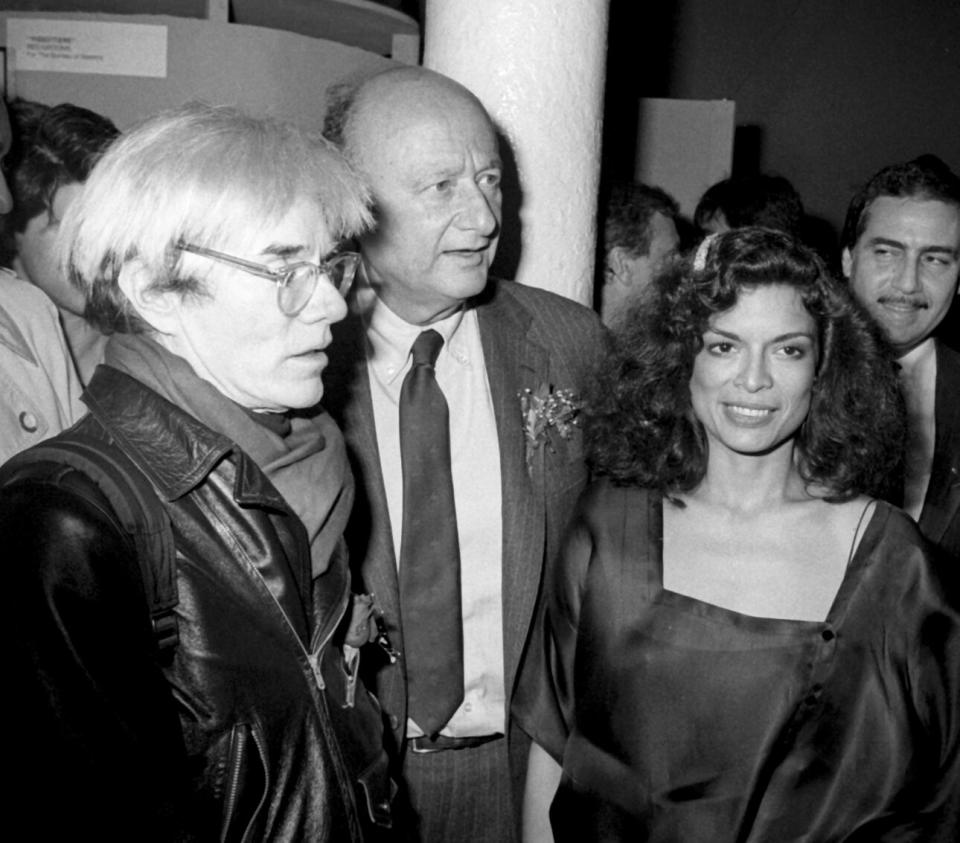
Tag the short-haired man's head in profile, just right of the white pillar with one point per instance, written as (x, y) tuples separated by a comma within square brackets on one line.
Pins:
[(639, 234)]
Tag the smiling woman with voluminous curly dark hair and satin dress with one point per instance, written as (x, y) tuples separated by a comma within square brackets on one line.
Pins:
[(738, 642)]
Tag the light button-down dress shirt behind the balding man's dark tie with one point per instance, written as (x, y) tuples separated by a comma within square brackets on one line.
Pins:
[(475, 465)]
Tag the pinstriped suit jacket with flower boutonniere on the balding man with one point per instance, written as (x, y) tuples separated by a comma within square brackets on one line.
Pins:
[(530, 337)]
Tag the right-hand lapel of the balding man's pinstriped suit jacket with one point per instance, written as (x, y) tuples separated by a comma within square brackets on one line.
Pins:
[(513, 363)]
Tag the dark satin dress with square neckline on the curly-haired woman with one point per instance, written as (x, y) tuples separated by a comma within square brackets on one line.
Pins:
[(678, 720)]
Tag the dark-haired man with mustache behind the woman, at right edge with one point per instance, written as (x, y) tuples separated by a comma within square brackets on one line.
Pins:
[(901, 254)]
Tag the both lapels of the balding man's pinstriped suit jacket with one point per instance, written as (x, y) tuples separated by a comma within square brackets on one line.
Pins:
[(513, 362)]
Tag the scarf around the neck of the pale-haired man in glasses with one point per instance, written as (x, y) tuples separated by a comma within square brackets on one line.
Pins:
[(307, 465)]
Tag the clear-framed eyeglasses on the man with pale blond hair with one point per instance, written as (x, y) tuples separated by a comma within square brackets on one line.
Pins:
[(295, 282)]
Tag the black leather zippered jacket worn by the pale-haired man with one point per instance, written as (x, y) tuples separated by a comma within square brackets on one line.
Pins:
[(233, 738)]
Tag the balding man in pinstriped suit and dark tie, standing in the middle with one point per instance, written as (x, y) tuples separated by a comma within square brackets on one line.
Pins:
[(457, 395)]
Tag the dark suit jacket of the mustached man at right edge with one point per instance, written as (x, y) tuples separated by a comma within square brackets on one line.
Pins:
[(940, 516)]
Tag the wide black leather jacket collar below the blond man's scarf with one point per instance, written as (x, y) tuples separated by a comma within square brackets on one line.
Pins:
[(170, 446)]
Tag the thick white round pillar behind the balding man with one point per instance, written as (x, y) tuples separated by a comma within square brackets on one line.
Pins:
[(538, 67)]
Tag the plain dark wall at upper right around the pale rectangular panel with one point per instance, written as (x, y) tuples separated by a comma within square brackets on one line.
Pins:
[(826, 91)]
